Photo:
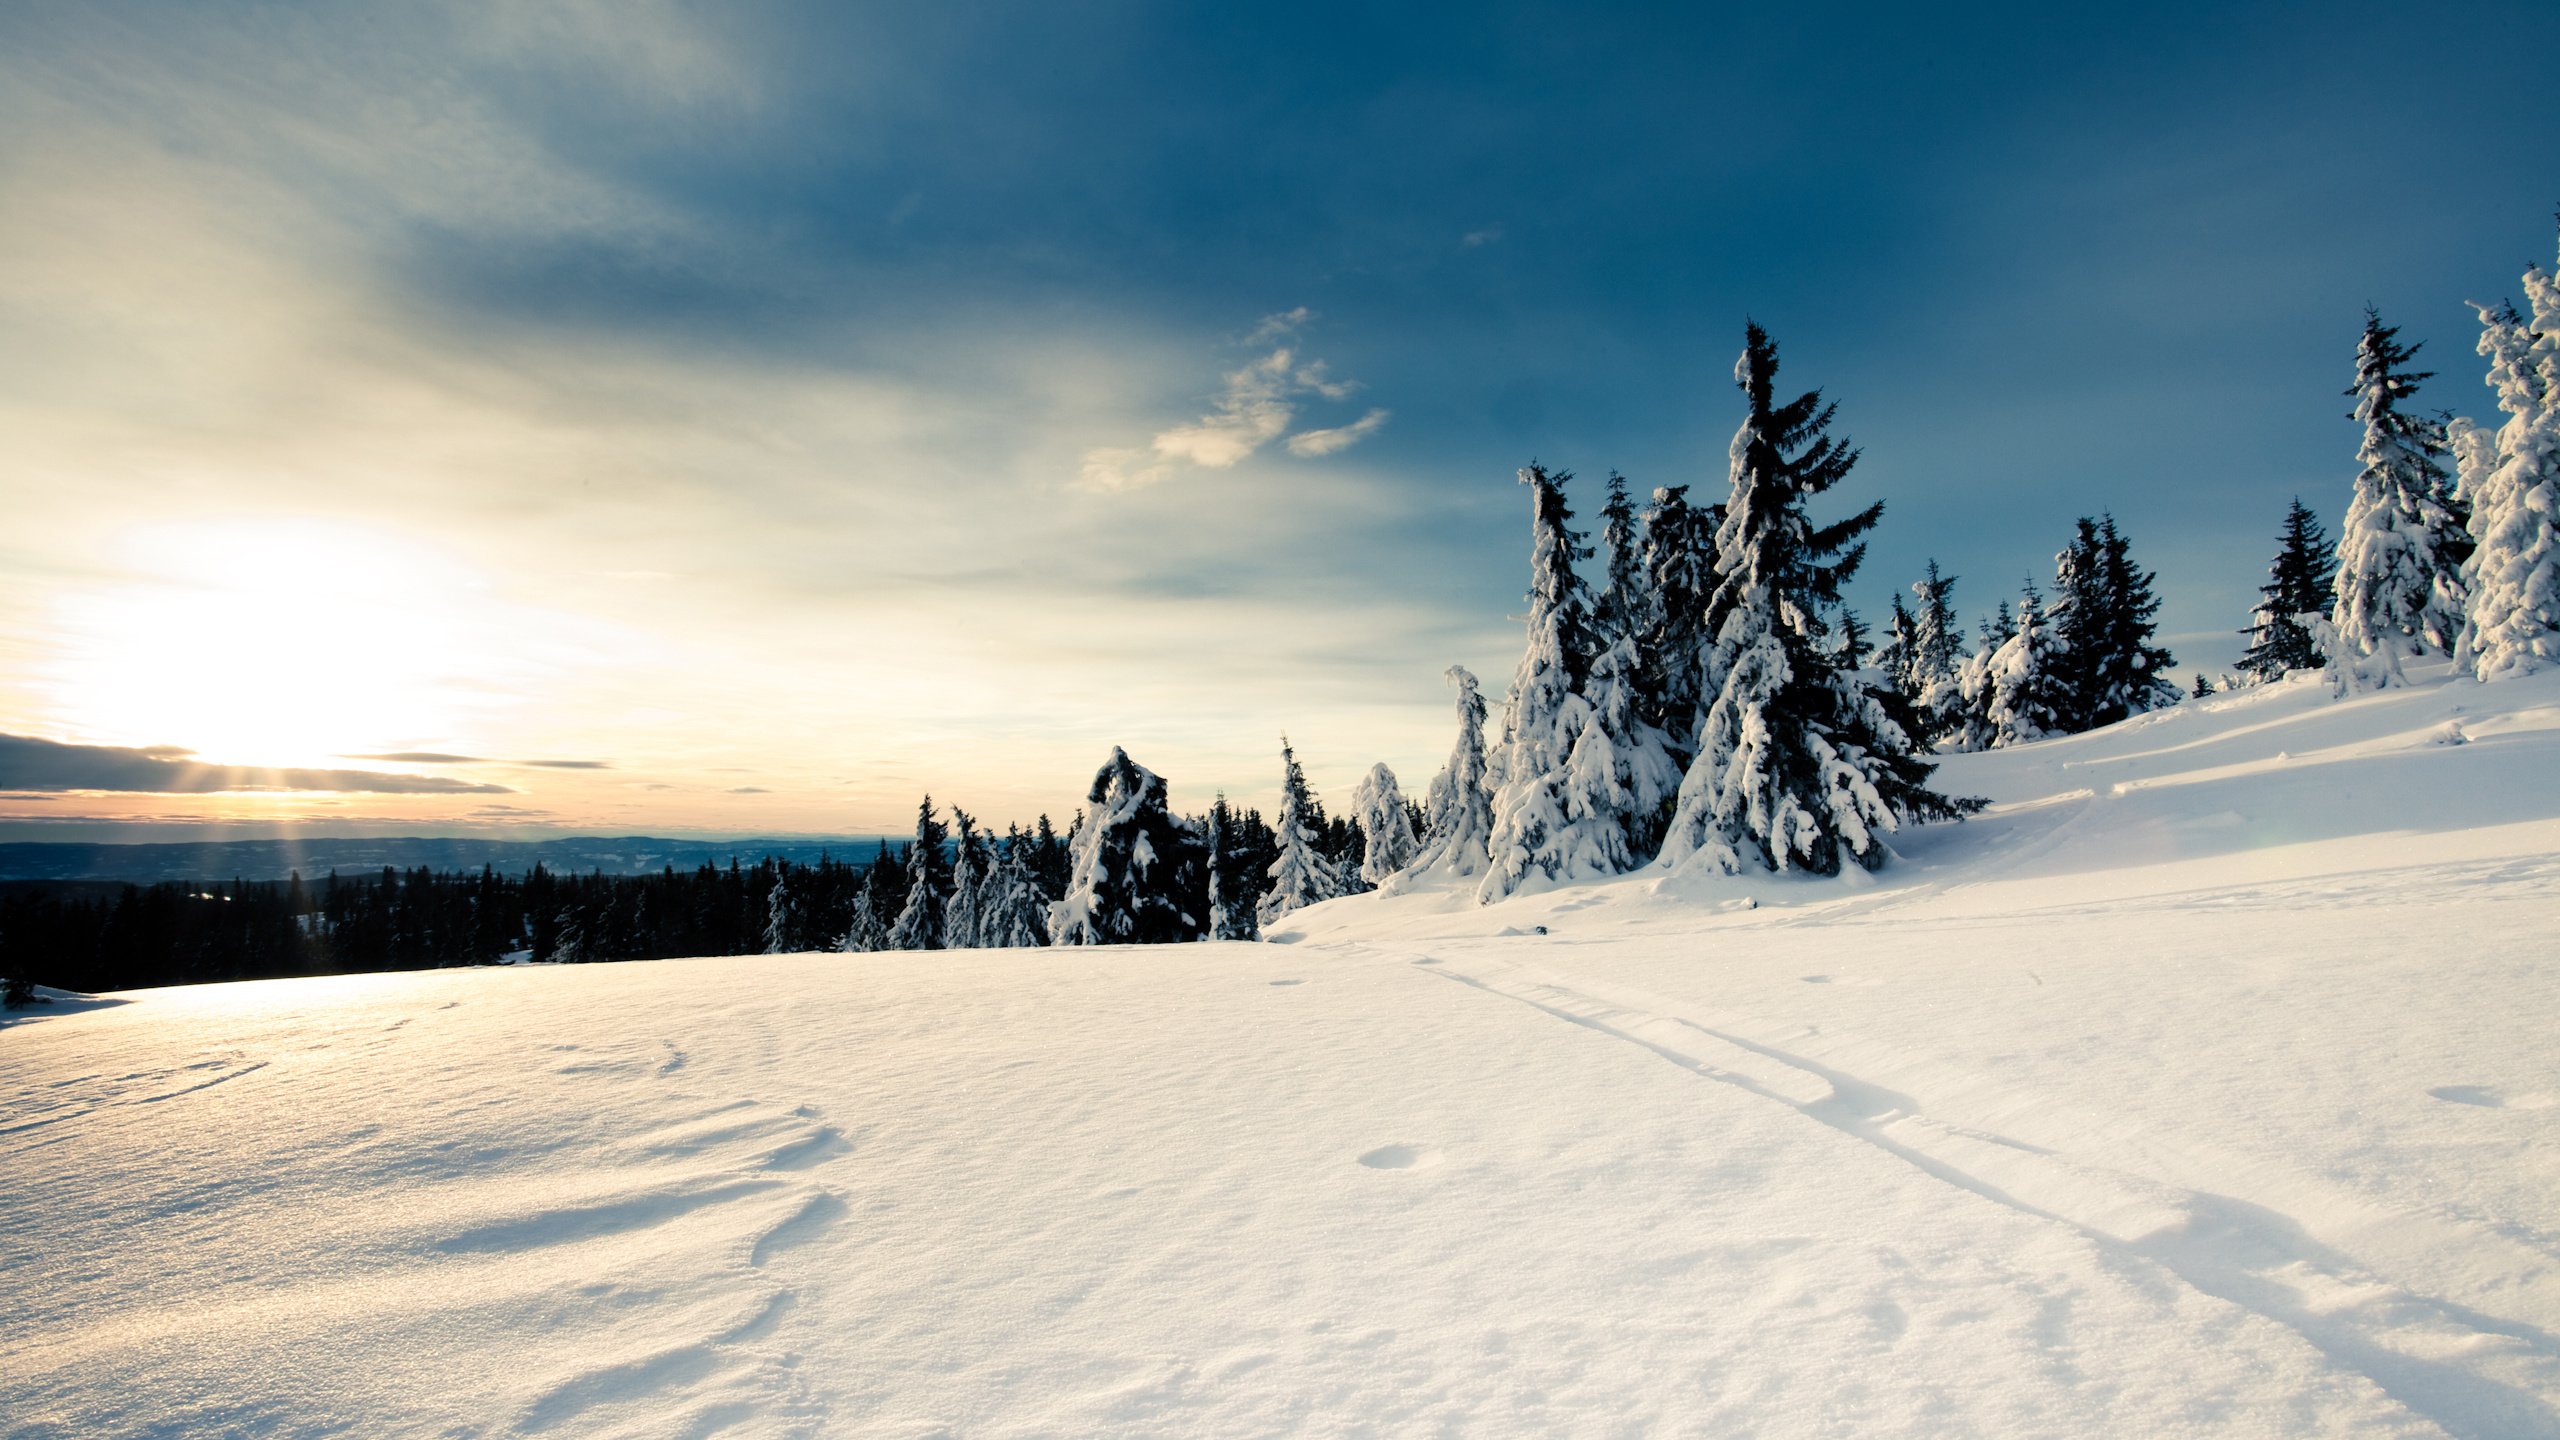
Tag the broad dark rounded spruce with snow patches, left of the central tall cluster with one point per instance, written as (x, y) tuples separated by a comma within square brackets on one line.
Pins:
[(1135, 875)]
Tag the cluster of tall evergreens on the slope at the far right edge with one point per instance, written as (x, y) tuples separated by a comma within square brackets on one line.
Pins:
[(2433, 562)]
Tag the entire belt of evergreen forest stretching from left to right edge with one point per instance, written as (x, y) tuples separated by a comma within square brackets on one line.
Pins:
[(1693, 693)]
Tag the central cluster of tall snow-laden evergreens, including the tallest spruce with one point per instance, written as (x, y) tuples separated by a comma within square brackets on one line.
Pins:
[(1699, 698)]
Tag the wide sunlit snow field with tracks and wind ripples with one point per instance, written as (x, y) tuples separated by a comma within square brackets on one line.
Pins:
[(2211, 1085)]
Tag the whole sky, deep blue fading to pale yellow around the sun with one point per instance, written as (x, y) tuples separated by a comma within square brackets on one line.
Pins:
[(790, 409)]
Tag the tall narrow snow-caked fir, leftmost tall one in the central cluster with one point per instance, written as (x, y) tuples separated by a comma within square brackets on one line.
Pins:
[(1563, 801)]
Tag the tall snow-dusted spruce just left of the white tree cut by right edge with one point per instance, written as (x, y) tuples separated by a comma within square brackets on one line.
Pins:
[(2400, 588)]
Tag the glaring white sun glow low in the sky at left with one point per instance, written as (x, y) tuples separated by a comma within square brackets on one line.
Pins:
[(268, 642)]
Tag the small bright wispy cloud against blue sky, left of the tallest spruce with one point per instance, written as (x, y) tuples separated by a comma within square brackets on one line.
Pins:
[(1253, 409)]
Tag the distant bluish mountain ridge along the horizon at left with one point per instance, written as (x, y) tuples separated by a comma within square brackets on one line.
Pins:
[(321, 855)]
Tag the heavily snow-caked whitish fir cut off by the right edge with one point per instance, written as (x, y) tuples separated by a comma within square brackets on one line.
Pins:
[(2513, 486)]
